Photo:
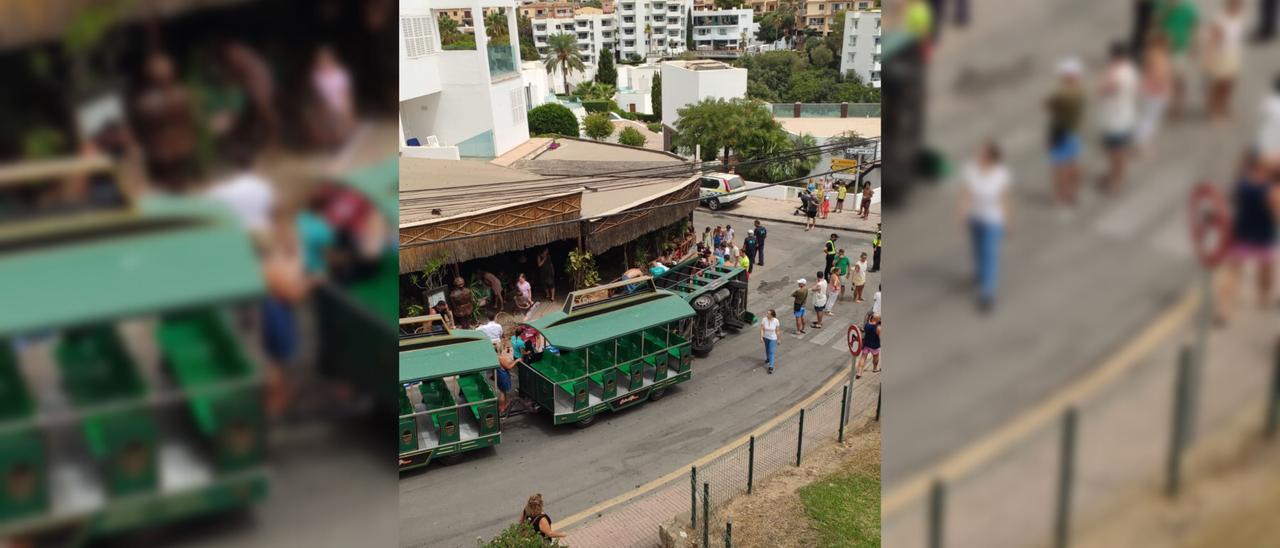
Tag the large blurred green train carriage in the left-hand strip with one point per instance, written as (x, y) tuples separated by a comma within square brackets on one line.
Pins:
[(126, 399)]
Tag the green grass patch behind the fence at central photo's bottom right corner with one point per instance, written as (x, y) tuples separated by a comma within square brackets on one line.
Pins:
[(844, 508)]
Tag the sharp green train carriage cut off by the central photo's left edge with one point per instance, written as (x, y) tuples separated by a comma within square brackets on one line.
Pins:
[(447, 401)]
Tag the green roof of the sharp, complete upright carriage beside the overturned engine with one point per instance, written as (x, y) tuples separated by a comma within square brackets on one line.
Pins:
[(568, 332)]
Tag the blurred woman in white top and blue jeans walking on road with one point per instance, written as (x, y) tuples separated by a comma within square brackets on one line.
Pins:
[(985, 202)]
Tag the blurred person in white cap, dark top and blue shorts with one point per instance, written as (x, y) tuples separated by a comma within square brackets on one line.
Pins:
[(1066, 112)]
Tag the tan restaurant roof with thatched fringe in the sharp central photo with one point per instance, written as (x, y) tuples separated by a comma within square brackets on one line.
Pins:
[(446, 199)]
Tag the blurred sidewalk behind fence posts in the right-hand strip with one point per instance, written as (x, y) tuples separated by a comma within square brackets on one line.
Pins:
[(1123, 445)]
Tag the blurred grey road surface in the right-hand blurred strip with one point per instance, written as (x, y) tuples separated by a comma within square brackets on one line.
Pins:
[(1073, 290)]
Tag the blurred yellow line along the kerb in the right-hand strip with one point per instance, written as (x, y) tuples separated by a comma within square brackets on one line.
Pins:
[(961, 464)]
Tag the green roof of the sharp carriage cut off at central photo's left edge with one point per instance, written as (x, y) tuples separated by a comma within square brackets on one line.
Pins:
[(460, 353)]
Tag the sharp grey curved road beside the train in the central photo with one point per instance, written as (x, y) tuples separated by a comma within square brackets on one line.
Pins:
[(574, 469)]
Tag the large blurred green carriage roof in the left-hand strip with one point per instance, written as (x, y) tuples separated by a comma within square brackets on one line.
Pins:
[(204, 259)]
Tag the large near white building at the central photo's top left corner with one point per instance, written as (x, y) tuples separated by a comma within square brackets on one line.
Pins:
[(460, 102)]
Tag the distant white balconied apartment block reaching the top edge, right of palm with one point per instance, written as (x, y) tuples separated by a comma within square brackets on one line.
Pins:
[(652, 28)]
